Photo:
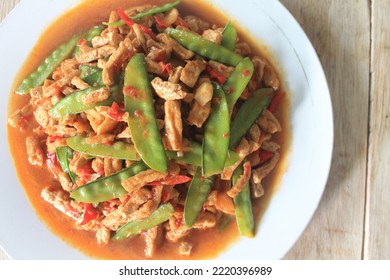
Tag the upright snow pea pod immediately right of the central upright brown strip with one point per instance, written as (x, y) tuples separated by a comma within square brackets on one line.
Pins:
[(216, 135)]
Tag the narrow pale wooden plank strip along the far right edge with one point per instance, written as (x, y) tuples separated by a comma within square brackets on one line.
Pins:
[(377, 241)]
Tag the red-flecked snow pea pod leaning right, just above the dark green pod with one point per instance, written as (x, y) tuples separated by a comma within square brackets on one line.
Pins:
[(237, 81)]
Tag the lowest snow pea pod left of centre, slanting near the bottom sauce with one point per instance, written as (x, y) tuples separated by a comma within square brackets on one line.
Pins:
[(159, 216)]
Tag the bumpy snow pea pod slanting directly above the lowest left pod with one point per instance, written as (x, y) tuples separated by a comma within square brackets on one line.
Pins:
[(106, 188)]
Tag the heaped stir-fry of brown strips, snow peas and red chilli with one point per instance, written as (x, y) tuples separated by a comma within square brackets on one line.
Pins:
[(154, 125)]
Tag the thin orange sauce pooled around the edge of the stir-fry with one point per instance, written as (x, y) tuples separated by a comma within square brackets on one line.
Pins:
[(207, 244)]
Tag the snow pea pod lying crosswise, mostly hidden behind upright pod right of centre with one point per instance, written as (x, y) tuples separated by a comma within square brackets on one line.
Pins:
[(194, 155)]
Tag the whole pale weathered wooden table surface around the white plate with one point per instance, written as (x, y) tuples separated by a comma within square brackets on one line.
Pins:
[(352, 39)]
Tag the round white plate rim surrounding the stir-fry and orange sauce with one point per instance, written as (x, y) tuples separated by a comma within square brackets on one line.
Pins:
[(24, 236)]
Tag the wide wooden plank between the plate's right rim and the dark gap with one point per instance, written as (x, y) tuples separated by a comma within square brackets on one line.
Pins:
[(340, 33)]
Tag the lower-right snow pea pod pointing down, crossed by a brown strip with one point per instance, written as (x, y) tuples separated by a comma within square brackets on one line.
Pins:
[(243, 207)]
